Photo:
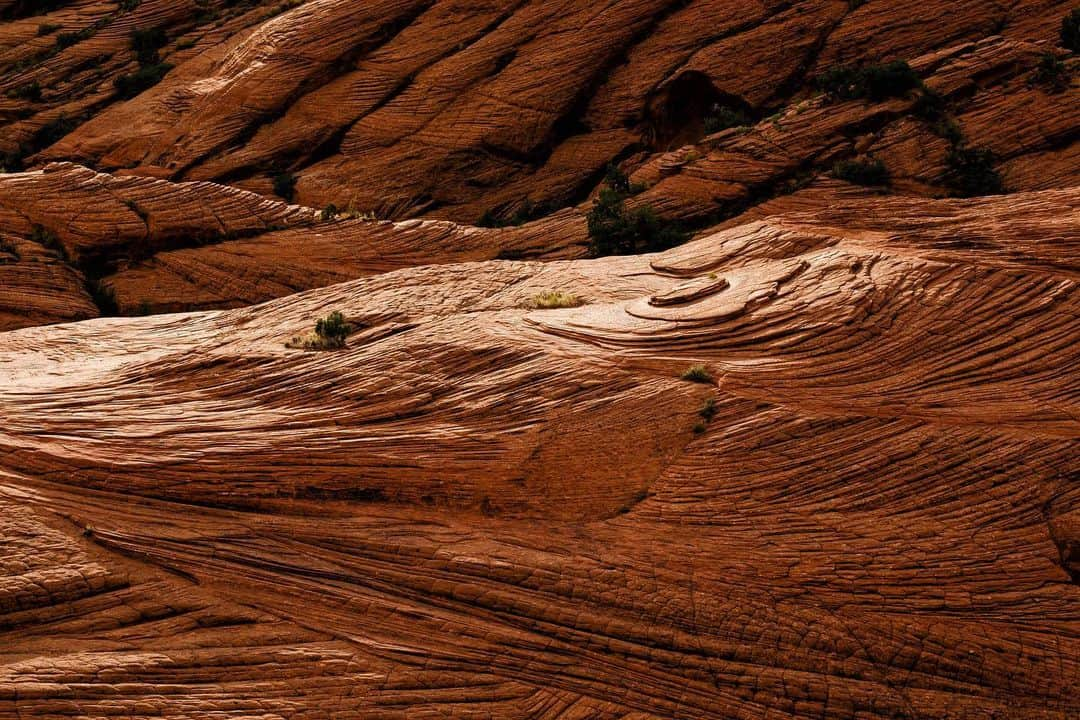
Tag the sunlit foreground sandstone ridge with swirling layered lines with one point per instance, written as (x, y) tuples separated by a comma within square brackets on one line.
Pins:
[(482, 510)]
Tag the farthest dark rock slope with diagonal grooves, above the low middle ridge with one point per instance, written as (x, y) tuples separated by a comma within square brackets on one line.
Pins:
[(450, 110)]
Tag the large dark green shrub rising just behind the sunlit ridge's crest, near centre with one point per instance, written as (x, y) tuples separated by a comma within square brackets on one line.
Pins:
[(616, 230)]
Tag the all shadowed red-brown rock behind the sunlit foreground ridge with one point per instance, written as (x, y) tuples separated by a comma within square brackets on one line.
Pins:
[(445, 111)]
